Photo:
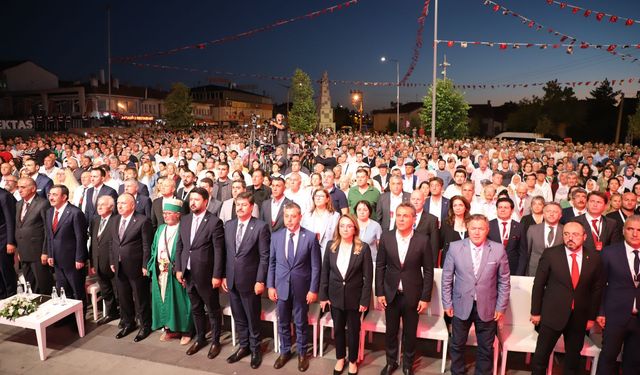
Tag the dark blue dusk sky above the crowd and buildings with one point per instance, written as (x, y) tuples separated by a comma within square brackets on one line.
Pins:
[(69, 39)]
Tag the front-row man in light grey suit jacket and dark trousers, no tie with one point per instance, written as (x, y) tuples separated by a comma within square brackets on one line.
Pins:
[(479, 295)]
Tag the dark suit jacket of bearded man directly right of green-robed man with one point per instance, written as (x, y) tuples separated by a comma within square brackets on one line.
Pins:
[(207, 251)]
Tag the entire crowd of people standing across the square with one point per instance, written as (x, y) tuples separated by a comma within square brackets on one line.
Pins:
[(168, 220)]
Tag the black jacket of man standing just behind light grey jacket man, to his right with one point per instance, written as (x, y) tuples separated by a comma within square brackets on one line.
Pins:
[(516, 248)]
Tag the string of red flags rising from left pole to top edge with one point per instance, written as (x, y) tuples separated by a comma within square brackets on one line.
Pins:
[(245, 34)]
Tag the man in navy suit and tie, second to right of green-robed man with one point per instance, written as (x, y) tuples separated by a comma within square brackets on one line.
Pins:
[(247, 242)]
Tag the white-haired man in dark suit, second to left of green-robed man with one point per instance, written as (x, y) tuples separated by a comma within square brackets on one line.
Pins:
[(100, 250)]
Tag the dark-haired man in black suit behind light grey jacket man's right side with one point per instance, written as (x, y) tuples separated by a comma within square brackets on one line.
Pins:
[(509, 233)]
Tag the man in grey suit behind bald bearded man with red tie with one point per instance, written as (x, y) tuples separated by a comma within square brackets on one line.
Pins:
[(544, 235)]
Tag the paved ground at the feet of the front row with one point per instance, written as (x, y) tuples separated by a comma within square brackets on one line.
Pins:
[(100, 353)]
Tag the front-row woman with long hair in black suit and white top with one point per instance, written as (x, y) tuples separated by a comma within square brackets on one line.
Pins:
[(345, 285)]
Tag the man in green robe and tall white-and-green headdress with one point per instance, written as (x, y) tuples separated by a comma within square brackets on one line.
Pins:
[(170, 306)]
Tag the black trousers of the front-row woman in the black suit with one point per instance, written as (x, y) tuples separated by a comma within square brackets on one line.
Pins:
[(349, 321)]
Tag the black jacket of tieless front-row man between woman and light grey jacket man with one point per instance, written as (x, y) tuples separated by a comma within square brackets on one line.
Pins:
[(416, 274)]
